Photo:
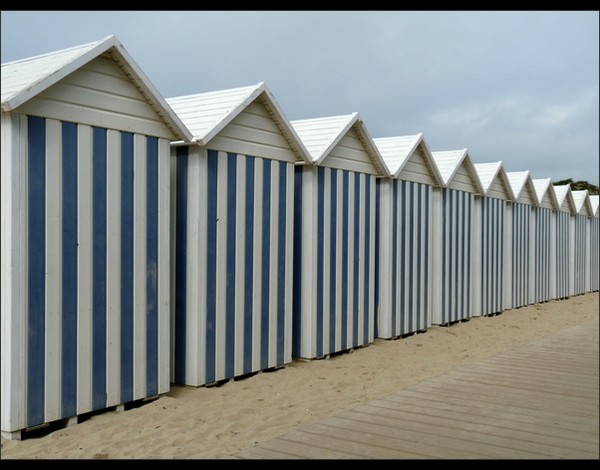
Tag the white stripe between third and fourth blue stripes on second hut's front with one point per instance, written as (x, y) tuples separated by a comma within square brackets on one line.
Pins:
[(256, 269)]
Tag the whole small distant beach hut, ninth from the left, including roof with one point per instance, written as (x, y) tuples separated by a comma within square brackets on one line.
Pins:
[(563, 246)]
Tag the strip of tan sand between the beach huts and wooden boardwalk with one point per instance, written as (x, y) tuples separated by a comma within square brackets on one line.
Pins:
[(216, 422)]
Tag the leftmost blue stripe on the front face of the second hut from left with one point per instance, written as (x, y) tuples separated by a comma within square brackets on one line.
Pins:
[(211, 263)]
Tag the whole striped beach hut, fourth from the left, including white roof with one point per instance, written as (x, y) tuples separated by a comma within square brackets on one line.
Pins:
[(404, 225)]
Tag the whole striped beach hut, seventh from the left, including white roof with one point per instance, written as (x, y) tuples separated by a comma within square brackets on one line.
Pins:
[(519, 241)]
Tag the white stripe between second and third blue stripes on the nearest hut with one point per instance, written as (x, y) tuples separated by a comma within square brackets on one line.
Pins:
[(84, 268)]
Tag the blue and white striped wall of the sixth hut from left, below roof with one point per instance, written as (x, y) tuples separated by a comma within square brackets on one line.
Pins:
[(488, 266)]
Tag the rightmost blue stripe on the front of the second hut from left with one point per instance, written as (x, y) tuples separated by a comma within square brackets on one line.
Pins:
[(281, 263)]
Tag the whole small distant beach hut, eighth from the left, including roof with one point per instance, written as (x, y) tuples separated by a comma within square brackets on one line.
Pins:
[(543, 252)]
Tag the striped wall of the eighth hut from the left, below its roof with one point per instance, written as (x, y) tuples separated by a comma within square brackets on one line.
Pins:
[(544, 240)]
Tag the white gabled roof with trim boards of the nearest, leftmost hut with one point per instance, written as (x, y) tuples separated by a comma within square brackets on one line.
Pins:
[(24, 79)]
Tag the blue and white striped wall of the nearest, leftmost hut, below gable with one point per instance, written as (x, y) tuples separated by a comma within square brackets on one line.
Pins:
[(86, 290)]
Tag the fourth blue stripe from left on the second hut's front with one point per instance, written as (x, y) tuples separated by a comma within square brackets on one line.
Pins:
[(266, 263)]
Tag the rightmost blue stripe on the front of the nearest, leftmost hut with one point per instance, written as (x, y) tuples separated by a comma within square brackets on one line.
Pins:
[(152, 266)]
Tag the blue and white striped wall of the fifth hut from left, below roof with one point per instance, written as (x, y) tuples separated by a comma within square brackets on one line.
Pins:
[(453, 255)]
